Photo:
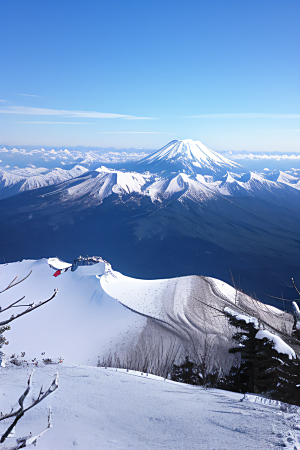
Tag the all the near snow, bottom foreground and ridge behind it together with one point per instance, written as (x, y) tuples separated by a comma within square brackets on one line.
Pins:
[(98, 310)]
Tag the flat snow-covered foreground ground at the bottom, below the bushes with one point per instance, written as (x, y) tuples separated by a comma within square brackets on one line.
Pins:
[(97, 408)]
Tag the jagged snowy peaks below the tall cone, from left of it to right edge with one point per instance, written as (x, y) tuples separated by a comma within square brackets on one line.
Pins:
[(95, 186)]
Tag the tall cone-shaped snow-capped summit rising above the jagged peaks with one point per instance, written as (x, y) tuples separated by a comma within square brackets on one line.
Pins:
[(189, 156)]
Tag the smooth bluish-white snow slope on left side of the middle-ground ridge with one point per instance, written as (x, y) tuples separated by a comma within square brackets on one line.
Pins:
[(82, 311)]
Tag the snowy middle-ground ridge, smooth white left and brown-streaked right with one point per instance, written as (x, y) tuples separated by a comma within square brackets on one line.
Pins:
[(102, 311)]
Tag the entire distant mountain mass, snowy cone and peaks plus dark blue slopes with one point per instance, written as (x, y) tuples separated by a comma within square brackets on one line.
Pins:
[(191, 212)]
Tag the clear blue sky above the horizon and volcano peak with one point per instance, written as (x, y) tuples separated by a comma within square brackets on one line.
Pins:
[(141, 73)]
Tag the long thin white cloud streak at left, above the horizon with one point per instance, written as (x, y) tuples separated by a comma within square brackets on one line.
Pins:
[(30, 111)]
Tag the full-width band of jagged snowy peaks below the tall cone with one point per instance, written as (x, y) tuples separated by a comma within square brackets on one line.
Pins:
[(103, 182)]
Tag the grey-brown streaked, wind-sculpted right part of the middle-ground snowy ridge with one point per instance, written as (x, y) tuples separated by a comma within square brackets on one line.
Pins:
[(190, 308)]
